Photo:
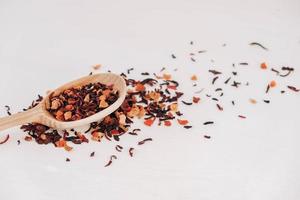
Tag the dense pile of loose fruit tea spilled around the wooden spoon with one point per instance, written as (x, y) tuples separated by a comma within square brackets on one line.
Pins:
[(150, 100)]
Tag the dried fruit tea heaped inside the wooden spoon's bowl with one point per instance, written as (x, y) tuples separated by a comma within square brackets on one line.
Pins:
[(82, 101)]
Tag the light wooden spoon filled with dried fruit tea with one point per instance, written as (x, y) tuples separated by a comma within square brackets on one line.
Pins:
[(39, 113)]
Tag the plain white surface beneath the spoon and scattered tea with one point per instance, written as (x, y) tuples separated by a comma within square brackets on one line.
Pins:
[(46, 43)]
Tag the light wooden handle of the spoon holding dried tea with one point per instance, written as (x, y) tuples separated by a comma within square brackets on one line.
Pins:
[(31, 115)]
